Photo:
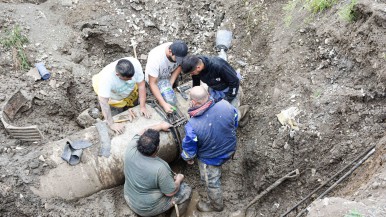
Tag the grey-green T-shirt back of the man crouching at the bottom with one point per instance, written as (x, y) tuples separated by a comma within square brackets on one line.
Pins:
[(147, 180)]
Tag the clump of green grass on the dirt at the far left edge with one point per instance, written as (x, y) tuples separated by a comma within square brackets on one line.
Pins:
[(15, 40)]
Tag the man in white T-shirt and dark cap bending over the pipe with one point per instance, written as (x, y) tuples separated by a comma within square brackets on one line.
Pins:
[(163, 63)]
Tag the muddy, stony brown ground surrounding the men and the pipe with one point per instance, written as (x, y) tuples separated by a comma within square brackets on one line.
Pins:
[(332, 70)]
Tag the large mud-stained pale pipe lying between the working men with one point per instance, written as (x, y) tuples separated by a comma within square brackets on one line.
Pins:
[(95, 173)]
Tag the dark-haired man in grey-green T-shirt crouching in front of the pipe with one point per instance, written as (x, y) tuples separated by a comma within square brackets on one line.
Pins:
[(150, 186)]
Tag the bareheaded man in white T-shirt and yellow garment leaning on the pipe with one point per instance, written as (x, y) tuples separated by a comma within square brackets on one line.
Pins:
[(119, 85)]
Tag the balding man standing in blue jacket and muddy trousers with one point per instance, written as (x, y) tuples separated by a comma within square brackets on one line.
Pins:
[(211, 137)]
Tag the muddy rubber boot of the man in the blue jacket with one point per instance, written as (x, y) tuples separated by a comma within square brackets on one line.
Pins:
[(215, 203)]
